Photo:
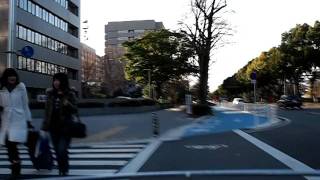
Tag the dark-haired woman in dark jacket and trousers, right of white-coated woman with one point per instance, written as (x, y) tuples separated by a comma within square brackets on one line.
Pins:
[(59, 111)]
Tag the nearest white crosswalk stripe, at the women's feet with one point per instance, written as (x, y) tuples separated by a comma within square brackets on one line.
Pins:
[(54, 172)]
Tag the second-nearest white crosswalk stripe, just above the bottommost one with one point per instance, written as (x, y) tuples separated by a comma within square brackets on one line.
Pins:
[(78, 163)]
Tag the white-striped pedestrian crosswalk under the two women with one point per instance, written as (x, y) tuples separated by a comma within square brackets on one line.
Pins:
[(93, 159)]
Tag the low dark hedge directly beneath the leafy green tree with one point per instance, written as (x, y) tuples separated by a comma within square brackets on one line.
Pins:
[(132, 103)]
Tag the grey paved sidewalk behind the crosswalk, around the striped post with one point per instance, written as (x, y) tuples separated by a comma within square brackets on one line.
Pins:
[(128, 127)]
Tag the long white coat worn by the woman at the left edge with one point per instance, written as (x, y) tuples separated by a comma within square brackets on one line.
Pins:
[(15, 114)]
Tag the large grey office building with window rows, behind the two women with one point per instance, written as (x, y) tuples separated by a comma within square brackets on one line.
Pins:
[(51, 28)]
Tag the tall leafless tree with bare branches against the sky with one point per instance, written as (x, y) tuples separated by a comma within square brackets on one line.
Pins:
[(206, 35)]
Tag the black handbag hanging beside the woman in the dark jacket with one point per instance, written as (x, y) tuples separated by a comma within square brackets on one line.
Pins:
[(77, 129)]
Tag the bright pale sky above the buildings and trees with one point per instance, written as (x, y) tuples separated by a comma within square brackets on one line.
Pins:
[(257, 25)]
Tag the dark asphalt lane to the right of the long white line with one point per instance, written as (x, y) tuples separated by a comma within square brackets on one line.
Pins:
[(300, 138)]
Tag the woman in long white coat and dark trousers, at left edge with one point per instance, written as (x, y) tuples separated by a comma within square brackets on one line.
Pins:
[(15, 117)]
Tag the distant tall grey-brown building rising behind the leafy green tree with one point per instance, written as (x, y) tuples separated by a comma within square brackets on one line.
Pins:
[(117, 33)]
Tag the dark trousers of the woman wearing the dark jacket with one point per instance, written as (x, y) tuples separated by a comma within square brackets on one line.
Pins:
[(61, 143)]
